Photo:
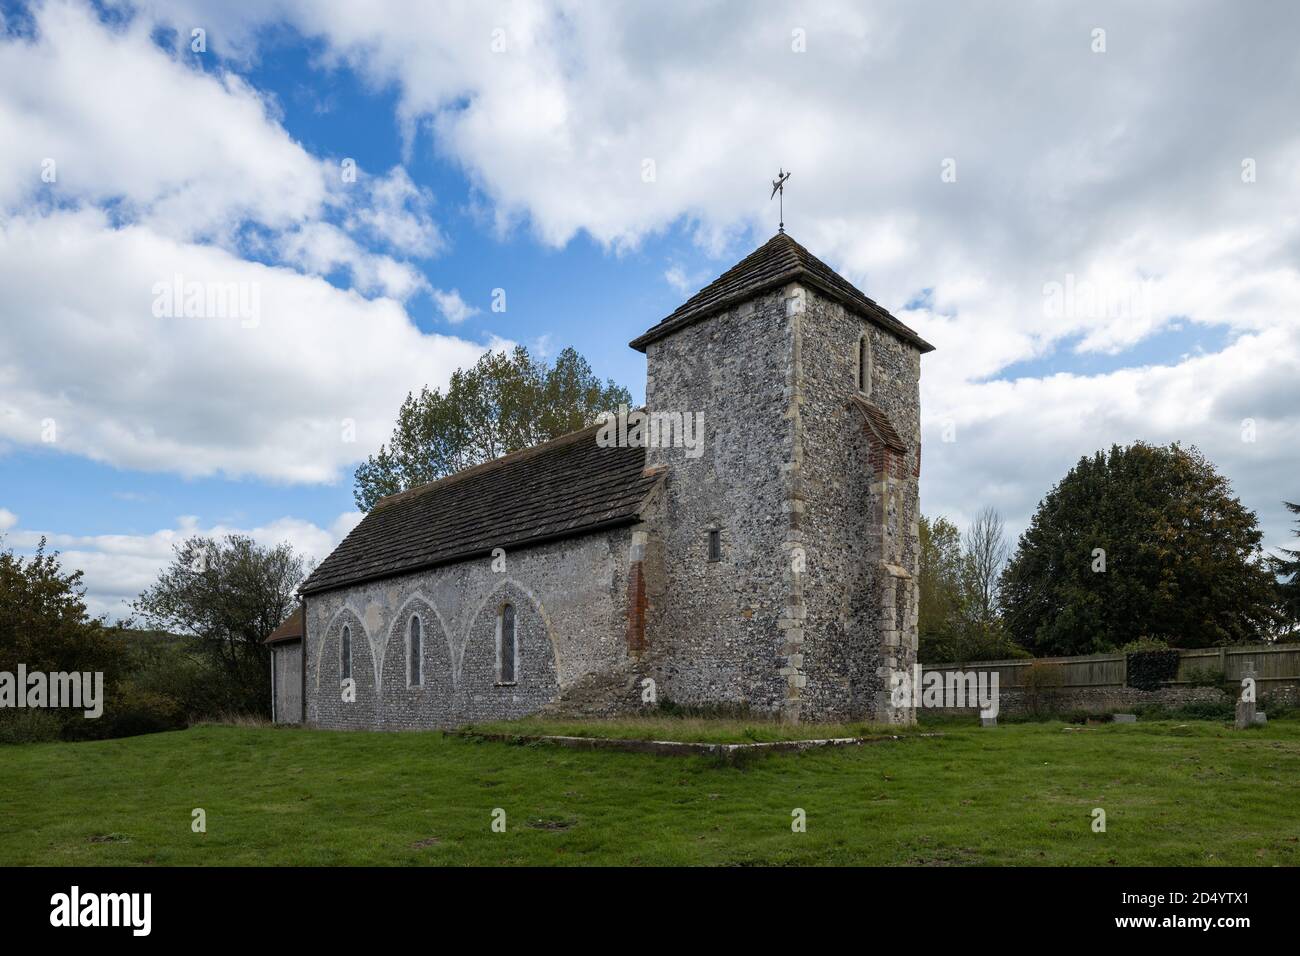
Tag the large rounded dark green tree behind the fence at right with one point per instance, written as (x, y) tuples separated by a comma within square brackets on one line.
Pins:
[(1145, 542)]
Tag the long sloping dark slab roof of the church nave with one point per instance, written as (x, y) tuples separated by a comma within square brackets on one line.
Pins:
[(562, 488)]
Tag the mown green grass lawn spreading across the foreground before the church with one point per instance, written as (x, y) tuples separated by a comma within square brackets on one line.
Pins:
[(1175, 793)]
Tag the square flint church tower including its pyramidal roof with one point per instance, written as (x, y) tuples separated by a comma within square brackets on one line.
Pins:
[(787, 553)]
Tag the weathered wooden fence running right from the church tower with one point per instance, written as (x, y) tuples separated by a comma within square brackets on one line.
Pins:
[(1269, 667)]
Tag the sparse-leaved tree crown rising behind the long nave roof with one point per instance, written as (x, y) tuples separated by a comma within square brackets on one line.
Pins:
[(501, 405)]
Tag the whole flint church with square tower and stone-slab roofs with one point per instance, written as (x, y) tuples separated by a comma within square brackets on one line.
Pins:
[(765, 564)]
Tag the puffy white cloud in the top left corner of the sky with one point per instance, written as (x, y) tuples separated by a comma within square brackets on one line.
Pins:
[(184, 152)]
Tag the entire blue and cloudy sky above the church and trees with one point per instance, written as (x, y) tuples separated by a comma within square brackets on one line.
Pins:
[(1091, 210)]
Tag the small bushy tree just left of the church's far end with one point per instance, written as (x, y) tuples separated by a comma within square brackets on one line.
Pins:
[(229, 594)]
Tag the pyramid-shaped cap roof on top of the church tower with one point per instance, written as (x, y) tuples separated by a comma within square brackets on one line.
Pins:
[(775, 263)]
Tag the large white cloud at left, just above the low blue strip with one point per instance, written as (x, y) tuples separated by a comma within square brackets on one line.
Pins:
[(197, 396)]
